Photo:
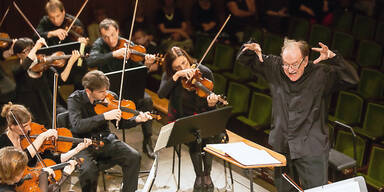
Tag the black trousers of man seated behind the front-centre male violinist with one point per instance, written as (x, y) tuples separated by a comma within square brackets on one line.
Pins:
[(146, 104)]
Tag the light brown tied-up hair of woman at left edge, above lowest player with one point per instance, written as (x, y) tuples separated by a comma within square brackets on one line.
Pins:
[(19, 111)]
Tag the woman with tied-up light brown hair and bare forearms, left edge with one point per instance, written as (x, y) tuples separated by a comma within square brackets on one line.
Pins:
[(11, 135)]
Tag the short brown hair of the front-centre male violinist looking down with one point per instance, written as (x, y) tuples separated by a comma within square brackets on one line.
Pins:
[(94, 80)]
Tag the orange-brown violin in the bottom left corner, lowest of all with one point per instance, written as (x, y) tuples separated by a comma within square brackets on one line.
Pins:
[(31, 175)]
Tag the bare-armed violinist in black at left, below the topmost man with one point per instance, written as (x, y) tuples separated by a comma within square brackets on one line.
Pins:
[(34, 89)]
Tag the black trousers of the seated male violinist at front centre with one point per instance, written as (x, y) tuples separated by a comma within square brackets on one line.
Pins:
[(114, 153)]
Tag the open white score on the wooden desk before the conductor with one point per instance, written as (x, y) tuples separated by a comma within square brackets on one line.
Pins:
[(245, 154)]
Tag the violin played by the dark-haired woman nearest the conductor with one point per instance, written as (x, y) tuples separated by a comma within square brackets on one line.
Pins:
[(202, 86)]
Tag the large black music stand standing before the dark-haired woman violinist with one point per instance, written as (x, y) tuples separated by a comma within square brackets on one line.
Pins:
[(192, 128)]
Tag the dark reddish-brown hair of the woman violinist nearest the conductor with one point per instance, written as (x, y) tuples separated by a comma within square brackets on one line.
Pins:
[(170, 57)]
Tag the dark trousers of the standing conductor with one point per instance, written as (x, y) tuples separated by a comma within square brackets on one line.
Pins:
[(308, 172)]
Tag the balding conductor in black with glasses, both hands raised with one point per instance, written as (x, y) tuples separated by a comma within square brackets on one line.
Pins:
[(301, 91)]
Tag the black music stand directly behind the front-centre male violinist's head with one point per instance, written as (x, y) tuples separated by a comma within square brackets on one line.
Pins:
[(134, 84)]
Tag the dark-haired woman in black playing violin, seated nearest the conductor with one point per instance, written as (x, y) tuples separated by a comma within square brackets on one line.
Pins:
[(184, 103)]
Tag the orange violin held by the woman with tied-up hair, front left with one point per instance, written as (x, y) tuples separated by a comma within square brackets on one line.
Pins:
[(63, 143)]
